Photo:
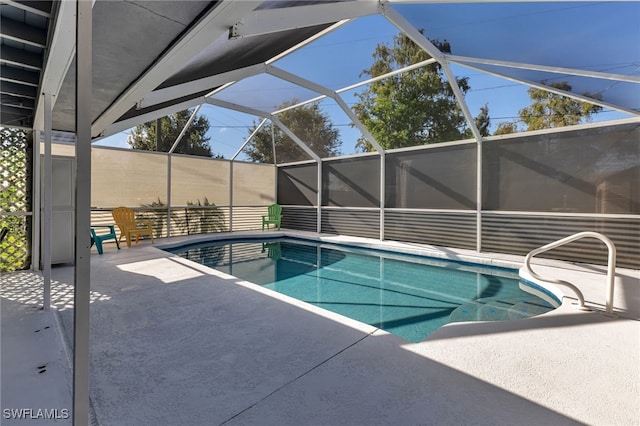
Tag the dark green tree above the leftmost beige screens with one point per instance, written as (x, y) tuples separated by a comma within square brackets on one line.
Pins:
[(194, 141)]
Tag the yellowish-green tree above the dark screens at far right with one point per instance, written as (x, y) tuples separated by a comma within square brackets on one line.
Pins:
[(549, 110)]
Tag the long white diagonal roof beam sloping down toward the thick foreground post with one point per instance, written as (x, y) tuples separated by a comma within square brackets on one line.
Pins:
[(210, 26)]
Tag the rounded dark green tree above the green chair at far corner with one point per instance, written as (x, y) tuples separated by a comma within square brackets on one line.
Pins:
[(308, 123)]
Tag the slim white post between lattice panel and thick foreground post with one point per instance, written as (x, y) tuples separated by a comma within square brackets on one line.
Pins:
[(48, 203)]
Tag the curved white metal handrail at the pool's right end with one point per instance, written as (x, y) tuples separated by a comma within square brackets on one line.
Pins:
[(611, 265)]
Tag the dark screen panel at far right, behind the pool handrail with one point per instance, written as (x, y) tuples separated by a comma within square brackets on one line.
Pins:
[(582, 171)]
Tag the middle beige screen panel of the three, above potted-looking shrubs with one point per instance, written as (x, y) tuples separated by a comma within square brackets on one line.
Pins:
[(195, 179)]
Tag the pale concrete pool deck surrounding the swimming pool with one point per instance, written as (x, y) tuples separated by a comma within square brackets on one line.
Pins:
[(173, 342)]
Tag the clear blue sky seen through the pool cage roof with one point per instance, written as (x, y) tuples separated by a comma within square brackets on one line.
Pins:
[(591, 36)]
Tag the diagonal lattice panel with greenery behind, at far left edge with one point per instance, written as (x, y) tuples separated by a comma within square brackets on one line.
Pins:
[(14, 199)]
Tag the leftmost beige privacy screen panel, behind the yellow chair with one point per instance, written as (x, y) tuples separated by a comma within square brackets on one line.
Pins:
[(127, 178)]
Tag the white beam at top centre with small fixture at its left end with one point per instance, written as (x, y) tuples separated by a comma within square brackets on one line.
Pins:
[(267, 21)]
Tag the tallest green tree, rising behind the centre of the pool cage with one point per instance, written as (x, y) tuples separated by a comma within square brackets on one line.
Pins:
[(412, 108)]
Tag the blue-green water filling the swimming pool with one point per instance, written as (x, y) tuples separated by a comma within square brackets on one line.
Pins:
[(409, 296)]
